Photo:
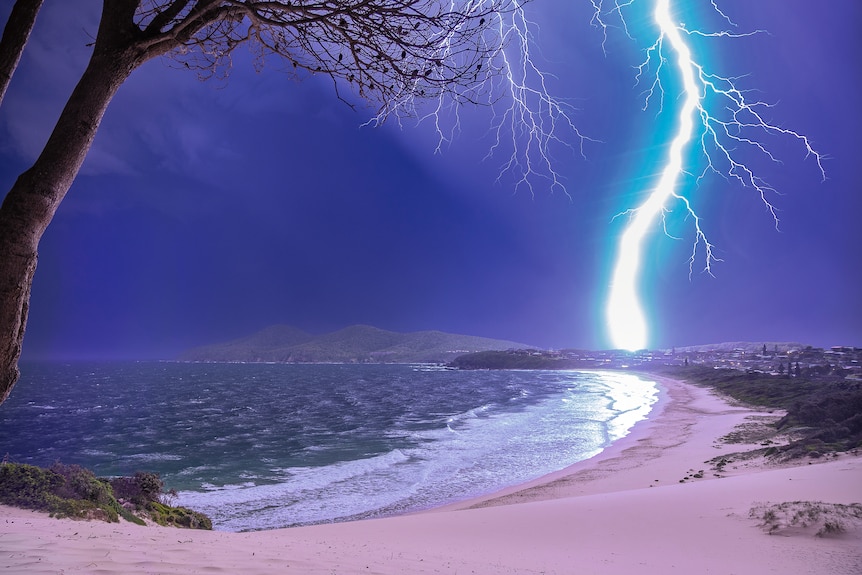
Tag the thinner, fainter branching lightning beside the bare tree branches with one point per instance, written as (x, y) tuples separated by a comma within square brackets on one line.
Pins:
[(528, 123)]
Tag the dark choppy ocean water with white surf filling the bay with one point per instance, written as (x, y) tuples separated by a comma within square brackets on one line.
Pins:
[(262, 446)]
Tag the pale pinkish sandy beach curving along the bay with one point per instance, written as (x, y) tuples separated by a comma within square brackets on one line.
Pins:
[(648, 504)]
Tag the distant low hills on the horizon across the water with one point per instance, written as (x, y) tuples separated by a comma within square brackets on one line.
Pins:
[(354, 344)]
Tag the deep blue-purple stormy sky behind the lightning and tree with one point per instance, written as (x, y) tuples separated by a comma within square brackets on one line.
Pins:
[(208, 210)]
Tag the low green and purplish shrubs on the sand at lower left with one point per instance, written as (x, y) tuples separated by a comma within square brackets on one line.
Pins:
[(73, 491)]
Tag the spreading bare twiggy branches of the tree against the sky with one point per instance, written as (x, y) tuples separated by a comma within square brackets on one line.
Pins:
[(389, 51)]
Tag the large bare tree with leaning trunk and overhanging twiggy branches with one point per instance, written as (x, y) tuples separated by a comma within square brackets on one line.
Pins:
[(392, 52)]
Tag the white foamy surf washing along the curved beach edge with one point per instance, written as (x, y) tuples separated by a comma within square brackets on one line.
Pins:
[(477, 451)]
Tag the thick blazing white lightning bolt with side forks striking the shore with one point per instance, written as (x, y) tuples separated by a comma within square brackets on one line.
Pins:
[(719, 137)]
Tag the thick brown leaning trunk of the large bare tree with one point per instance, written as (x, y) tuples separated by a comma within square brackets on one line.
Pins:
[(34, 198)]
